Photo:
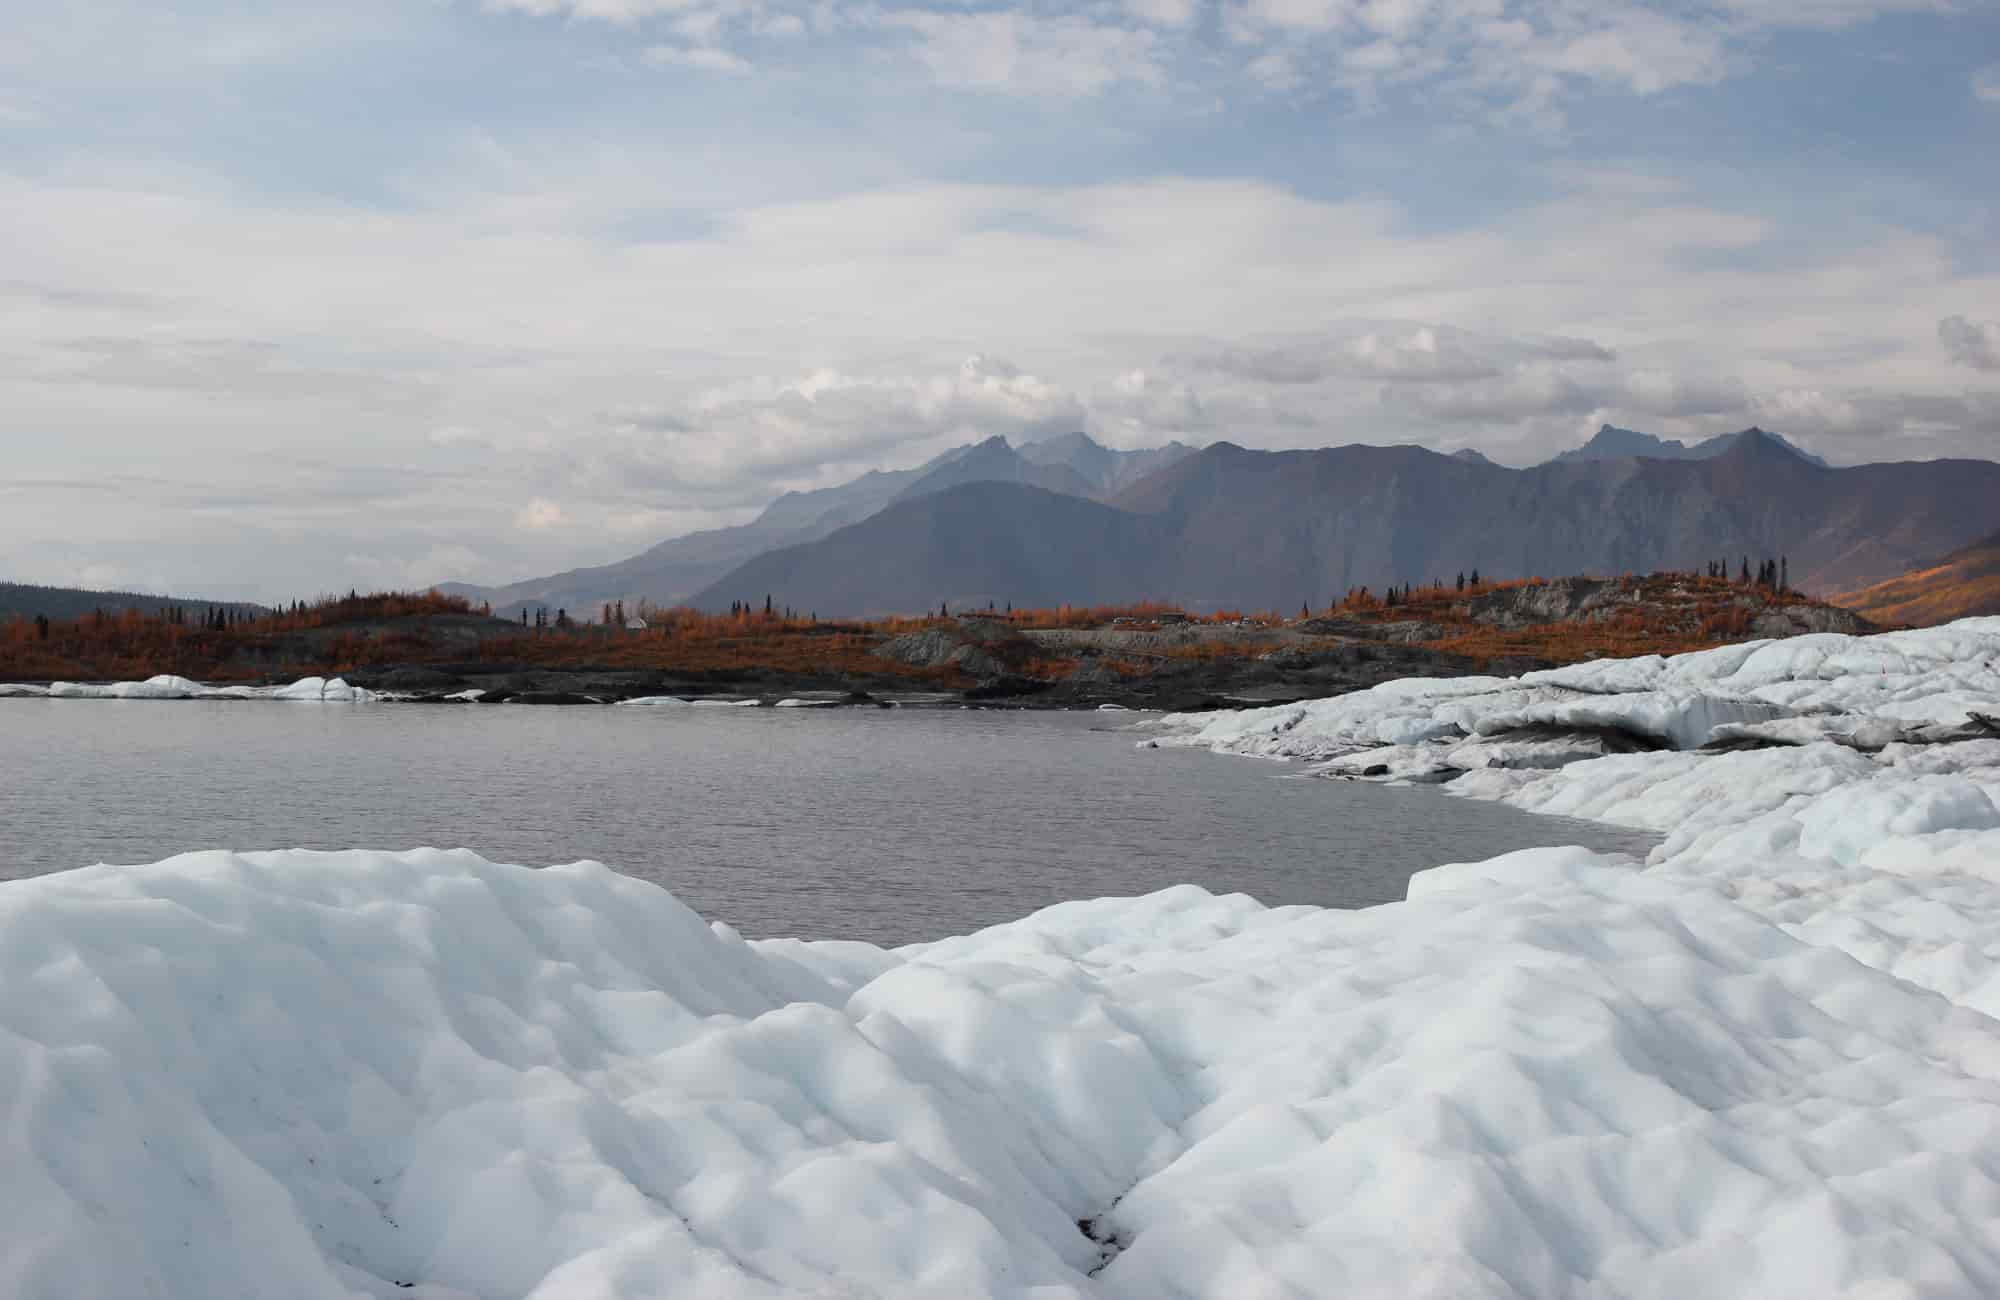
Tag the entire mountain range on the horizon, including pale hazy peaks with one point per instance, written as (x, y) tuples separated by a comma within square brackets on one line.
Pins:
[(1227, 527)]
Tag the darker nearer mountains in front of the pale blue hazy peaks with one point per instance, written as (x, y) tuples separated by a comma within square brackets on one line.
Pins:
[(1243, 529)]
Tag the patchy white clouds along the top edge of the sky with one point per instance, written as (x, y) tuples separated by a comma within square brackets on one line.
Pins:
[(1523, 57)]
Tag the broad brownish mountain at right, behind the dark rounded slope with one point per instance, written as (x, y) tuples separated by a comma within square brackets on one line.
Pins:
[(1255, 523)]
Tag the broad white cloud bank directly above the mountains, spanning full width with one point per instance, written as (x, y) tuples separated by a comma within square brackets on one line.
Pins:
[(407, 381)]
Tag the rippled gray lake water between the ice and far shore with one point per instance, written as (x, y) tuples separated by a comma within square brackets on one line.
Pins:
[(877, 825)]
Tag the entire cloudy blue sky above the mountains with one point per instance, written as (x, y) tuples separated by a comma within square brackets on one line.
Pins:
[(385, 293)]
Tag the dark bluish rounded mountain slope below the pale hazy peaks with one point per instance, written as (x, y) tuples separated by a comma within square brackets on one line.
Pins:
[(967, 547)]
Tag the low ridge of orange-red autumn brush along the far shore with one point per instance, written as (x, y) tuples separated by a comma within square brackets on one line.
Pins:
[(1481, 621)]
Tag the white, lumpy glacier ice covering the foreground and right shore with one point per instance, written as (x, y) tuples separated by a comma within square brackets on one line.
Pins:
[(1761, 1063)]
